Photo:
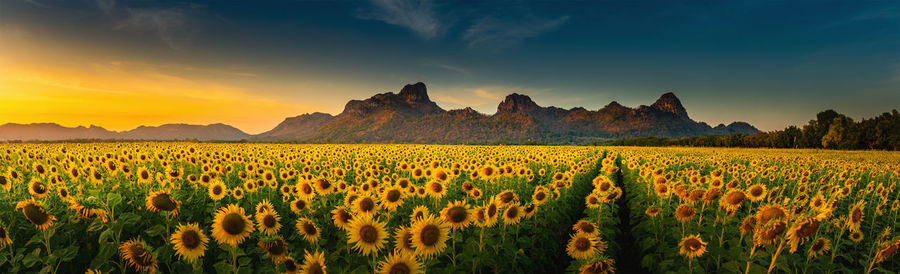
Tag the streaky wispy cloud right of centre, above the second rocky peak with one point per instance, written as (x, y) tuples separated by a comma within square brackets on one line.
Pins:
[(490, 31)]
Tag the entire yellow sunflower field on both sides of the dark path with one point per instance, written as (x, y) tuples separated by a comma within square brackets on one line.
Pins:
[(289, 208)]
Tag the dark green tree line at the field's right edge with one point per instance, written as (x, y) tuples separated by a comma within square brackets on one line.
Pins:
[(830, 130)]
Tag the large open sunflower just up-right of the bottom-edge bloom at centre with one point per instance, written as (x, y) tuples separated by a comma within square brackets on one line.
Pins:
[(429, 236)]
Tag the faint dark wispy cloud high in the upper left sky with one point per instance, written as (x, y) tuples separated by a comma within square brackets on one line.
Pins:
[(169, 24)]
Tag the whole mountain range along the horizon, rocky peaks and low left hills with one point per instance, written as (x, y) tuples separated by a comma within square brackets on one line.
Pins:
[(411, 117)]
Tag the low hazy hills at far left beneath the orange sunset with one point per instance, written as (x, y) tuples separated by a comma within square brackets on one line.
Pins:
[(50, 131)]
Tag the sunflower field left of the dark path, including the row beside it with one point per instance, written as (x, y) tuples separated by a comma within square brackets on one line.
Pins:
[(252, 208)]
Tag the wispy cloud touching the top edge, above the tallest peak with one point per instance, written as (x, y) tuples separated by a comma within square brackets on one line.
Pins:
[(417, 15)]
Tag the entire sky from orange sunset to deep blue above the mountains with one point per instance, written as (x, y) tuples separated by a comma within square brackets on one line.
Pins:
[(250, 64)]
